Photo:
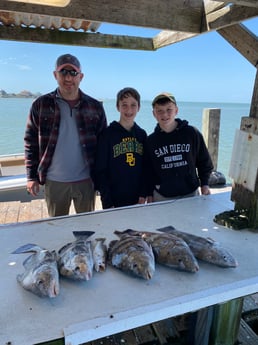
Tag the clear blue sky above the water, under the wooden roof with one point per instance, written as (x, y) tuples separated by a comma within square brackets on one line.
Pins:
[(204, 68)]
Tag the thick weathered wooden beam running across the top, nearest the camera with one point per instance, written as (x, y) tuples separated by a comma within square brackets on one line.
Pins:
[(162, 14)]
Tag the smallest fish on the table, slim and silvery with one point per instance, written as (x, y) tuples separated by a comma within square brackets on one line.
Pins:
[(99, 251)]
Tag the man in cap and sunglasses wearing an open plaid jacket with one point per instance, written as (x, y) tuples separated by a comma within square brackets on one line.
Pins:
[(60, 142)]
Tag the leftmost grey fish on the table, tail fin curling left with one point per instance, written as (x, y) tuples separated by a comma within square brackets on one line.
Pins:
[(41, 275)]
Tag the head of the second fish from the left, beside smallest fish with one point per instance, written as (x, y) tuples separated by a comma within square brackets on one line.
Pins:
[(78, 267)]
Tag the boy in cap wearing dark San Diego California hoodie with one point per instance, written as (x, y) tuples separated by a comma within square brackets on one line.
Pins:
[(177, 159)]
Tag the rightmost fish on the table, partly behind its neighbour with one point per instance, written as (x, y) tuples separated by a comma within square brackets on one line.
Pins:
[(205, 249)]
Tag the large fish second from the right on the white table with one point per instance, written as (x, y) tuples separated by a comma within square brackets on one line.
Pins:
[(169, 250)]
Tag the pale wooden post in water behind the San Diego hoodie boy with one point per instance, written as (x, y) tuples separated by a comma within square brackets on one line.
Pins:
[(210, 130)]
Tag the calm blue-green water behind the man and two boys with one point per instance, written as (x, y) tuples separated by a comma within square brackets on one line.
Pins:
[(13, 115)]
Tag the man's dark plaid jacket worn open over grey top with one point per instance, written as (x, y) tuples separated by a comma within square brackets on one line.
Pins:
[(42, 131)]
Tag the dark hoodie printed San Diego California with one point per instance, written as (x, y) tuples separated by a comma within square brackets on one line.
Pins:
[(177, 162)]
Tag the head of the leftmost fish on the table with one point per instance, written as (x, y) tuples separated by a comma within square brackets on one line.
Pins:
[(43, 281)]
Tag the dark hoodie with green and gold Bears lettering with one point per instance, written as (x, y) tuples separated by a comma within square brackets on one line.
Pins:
[(119, 165)]
